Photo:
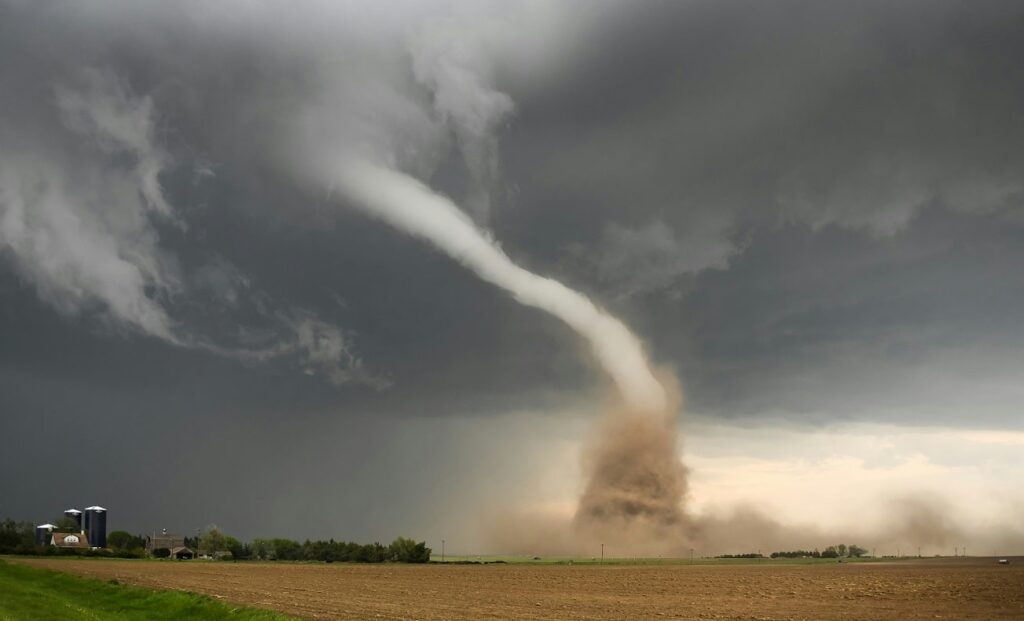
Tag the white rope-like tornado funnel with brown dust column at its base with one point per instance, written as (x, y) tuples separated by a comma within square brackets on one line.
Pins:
[(634, 479)]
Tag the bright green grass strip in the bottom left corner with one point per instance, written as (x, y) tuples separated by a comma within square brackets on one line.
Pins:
[(28, 593)]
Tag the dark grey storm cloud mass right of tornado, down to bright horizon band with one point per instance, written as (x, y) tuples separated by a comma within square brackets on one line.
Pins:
[(846, 176)]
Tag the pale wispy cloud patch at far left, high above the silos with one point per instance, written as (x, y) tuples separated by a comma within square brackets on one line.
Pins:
[(78, 227)]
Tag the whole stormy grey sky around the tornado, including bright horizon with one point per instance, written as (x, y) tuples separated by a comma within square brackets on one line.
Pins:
[(812, 212)]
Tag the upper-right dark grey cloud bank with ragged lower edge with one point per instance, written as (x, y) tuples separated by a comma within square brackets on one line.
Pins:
[(699, 115)]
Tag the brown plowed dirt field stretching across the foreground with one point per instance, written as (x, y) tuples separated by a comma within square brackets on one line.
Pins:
[(907, 591)]
